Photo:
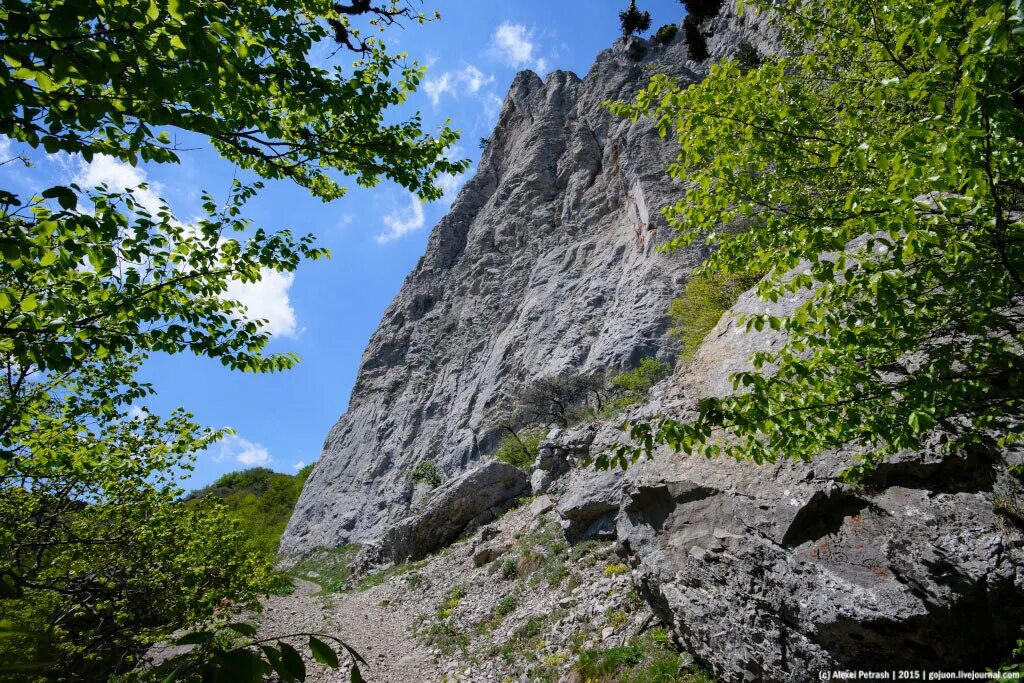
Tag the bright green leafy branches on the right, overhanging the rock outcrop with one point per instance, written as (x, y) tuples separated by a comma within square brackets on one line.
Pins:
[(882, 170)]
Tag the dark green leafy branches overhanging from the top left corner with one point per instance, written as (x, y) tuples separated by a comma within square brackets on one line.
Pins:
[(105, 77)]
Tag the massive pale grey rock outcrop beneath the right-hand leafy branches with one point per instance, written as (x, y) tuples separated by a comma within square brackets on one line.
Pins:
[(778, 573)]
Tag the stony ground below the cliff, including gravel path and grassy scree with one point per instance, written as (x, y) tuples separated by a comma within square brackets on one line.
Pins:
[(514, 603)]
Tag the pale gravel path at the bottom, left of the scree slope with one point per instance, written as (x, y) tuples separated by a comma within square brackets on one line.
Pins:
[(382, 636)]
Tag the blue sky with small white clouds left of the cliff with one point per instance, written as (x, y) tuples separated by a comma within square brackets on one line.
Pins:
[(328, 311)]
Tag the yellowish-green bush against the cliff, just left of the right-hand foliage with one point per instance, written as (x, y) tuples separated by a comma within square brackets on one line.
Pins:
[(703, 304)]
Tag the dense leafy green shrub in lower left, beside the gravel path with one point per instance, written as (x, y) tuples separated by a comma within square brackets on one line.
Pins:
[(99, 560)]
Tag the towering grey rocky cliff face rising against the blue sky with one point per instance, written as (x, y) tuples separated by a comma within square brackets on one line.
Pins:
[(546, 262)]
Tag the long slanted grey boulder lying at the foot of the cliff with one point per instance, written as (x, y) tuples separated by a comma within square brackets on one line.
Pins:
[(463, 503)]
